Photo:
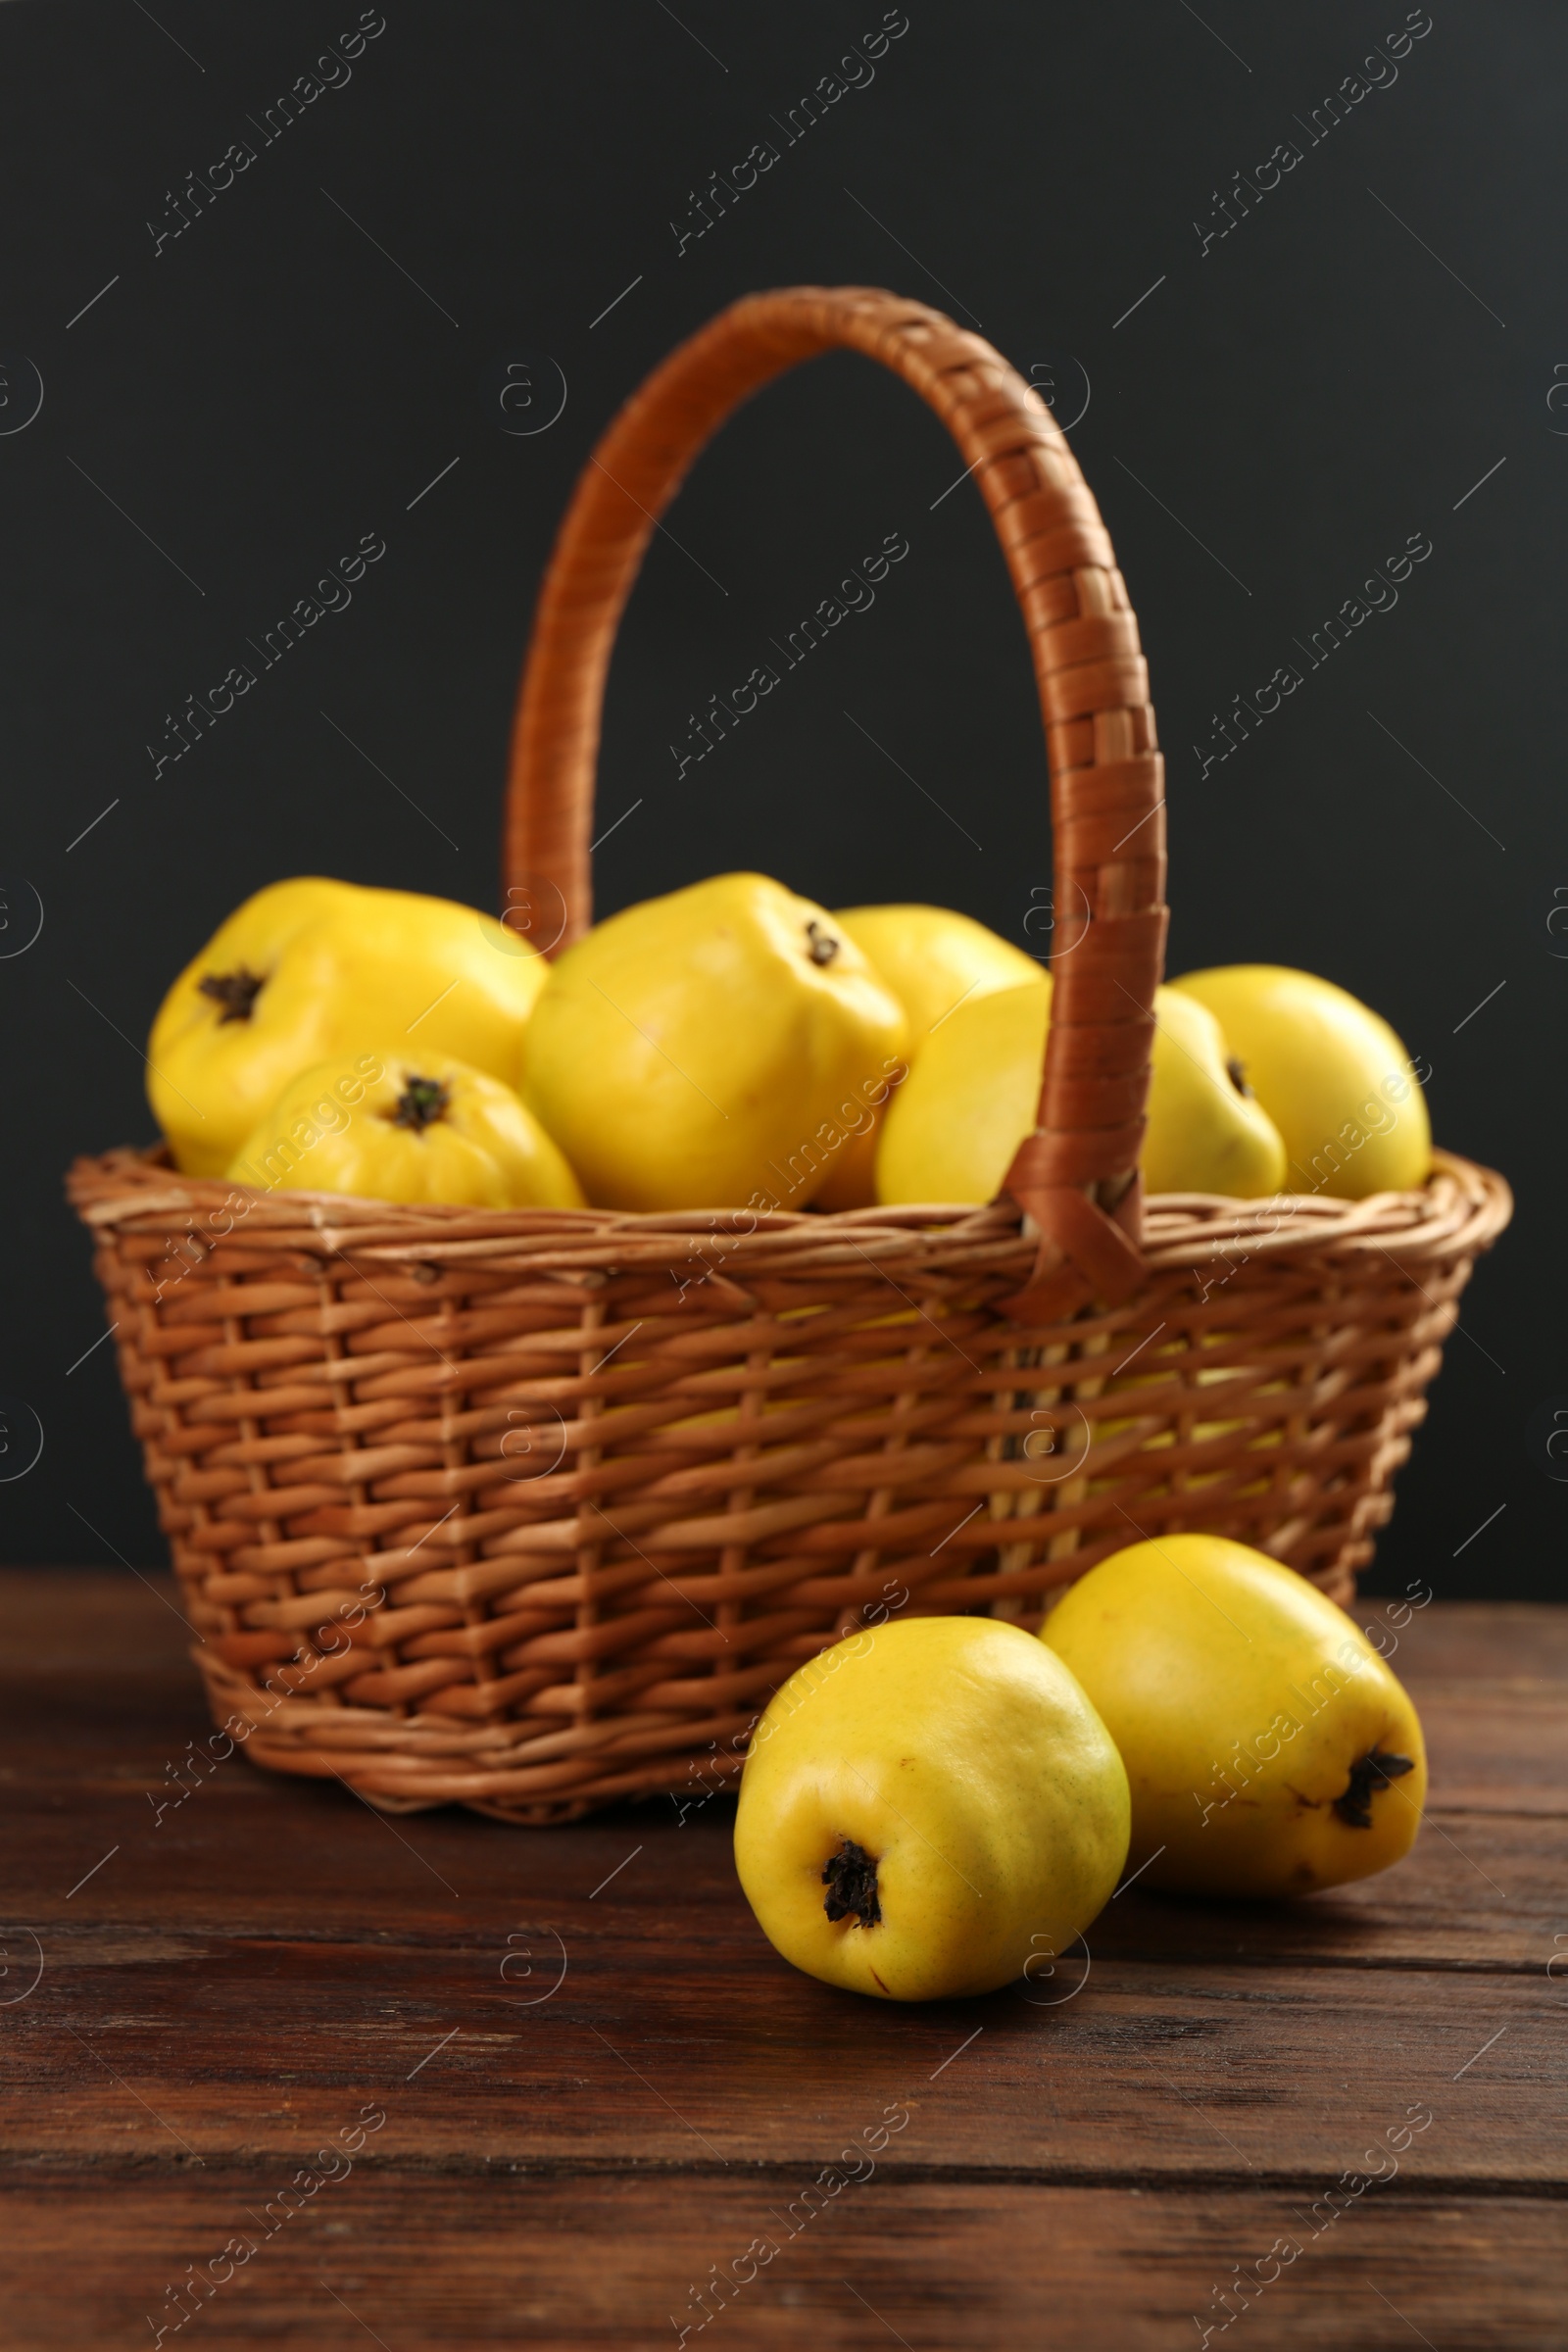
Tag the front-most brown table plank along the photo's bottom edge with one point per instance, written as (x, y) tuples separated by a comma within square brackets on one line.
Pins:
[(427, 2261)]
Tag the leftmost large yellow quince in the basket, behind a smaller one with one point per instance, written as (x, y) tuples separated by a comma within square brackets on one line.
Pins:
[(309, 970)]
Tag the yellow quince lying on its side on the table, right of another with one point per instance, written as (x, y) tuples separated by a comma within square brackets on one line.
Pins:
[(1268, 1746)]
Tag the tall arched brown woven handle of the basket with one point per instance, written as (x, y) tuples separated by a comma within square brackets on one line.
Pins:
[(1078, 1175)]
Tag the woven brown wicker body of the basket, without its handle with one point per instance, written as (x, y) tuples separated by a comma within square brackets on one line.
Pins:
[(612, 1499)]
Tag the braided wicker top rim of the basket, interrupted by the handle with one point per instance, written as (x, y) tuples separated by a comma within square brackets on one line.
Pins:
[(1463, 1205)]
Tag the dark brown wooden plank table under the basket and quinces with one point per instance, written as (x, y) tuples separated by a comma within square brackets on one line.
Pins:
[(544, 2087)]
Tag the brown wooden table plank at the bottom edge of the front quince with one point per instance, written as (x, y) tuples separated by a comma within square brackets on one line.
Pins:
[(1144, 2069)]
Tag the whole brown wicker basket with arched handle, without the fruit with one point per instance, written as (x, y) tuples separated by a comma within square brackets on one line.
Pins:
[(532, 1511)]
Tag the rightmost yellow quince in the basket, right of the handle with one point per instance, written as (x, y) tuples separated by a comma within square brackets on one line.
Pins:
[(1334, 1078)]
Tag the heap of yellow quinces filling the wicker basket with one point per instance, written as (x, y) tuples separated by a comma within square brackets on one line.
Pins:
[(725, 1048)]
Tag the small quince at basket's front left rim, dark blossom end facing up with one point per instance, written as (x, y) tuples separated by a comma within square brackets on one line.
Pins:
[(415, 1128)]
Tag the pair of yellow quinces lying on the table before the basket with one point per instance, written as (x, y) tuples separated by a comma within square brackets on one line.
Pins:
[(944, 1805)]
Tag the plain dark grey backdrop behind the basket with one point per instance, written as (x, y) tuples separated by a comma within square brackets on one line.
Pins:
[(1273, 422)]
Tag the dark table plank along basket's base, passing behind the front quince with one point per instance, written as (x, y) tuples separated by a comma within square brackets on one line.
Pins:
[(257, 1852)]
